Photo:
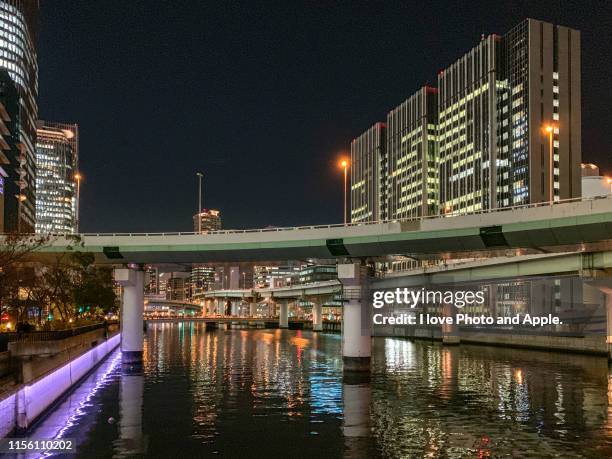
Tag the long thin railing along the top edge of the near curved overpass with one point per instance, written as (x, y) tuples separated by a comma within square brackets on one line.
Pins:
[(449, 214)]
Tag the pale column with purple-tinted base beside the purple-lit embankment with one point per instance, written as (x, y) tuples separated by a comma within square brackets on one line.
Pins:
[(132, 310)]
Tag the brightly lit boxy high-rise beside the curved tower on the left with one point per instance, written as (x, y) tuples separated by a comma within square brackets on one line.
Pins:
[(57, 156)]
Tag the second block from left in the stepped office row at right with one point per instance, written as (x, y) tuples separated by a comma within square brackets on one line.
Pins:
[(412, 157)]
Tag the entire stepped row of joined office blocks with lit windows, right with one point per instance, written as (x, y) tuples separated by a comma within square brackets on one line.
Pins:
[(502, 128)]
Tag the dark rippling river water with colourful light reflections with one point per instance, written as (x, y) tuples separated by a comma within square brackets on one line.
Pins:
[(276, 393)]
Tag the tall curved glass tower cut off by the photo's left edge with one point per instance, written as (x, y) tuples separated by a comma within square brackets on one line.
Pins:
[(18, 30)]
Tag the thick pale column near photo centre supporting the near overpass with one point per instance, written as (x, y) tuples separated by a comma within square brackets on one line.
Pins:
[(356, 326)]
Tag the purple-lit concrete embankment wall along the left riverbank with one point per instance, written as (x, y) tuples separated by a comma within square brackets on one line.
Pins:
[(46, 370)]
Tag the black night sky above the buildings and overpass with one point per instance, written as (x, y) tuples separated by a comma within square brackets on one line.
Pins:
[(261, 96)]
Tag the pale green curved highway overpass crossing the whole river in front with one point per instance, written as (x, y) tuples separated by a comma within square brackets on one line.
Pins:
[(548, 228)]
